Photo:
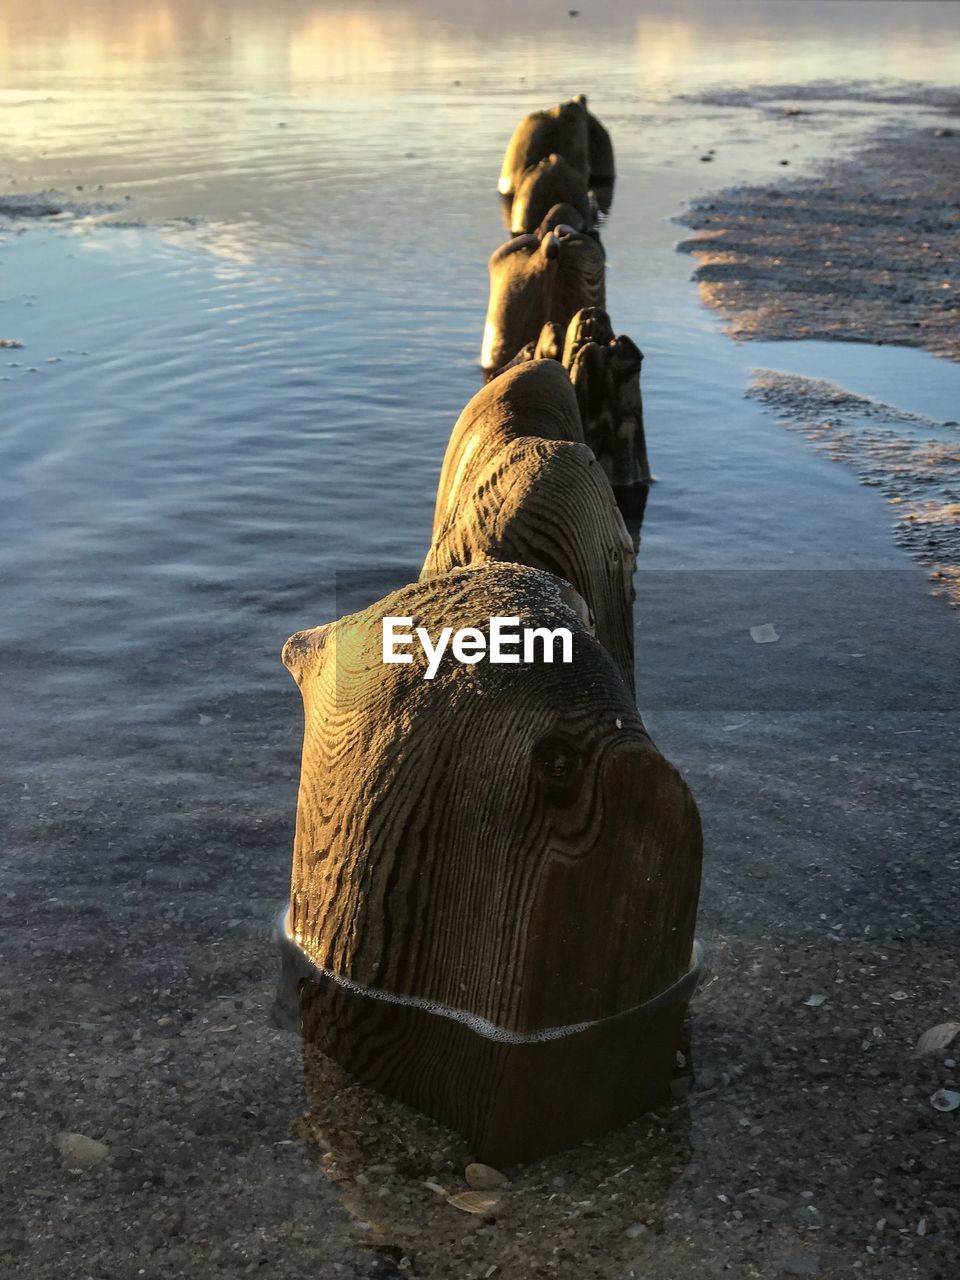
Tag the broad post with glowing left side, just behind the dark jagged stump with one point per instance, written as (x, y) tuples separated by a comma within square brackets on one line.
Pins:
[(545, 277)]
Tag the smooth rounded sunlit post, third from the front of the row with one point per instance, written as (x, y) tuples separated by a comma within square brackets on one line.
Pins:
[(536, 399)]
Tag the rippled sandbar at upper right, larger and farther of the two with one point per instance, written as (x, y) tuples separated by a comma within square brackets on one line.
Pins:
[(865, 252)]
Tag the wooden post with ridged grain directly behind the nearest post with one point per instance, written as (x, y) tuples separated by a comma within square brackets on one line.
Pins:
[(548, 505)]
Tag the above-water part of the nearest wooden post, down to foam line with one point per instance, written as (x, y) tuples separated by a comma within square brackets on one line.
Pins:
[(502, 840)]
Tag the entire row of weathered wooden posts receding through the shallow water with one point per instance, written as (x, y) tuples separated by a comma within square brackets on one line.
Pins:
[(496, 874)]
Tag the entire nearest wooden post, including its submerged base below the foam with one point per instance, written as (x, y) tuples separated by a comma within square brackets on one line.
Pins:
[(496, 874)]
